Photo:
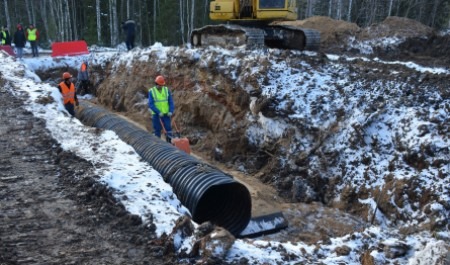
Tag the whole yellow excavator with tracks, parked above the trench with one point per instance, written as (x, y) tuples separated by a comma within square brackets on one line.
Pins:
[(253, 23)]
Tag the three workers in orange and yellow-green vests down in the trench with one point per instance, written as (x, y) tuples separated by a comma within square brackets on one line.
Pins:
[(160, 101)]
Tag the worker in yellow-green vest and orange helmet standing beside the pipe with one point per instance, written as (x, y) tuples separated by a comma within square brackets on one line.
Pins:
[(161, 106)]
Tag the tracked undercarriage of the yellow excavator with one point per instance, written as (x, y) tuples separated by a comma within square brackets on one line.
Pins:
[(274, 36)]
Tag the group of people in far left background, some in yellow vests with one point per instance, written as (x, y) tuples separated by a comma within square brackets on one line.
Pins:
[(20, 38)]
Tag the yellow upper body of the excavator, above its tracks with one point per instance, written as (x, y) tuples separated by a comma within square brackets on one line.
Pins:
[(240, 10)]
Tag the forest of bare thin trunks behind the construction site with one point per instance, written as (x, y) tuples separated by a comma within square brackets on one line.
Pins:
[(170, 22)]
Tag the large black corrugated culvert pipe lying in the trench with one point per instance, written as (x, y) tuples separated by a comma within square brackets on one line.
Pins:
[(208, 193)]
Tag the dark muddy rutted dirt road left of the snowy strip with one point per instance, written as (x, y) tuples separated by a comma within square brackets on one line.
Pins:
[(52, 209)]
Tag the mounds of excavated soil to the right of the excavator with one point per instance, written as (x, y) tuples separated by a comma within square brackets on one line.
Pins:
[(420, 43)]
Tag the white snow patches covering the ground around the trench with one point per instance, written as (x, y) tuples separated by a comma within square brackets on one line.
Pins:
[(121, 168)]
